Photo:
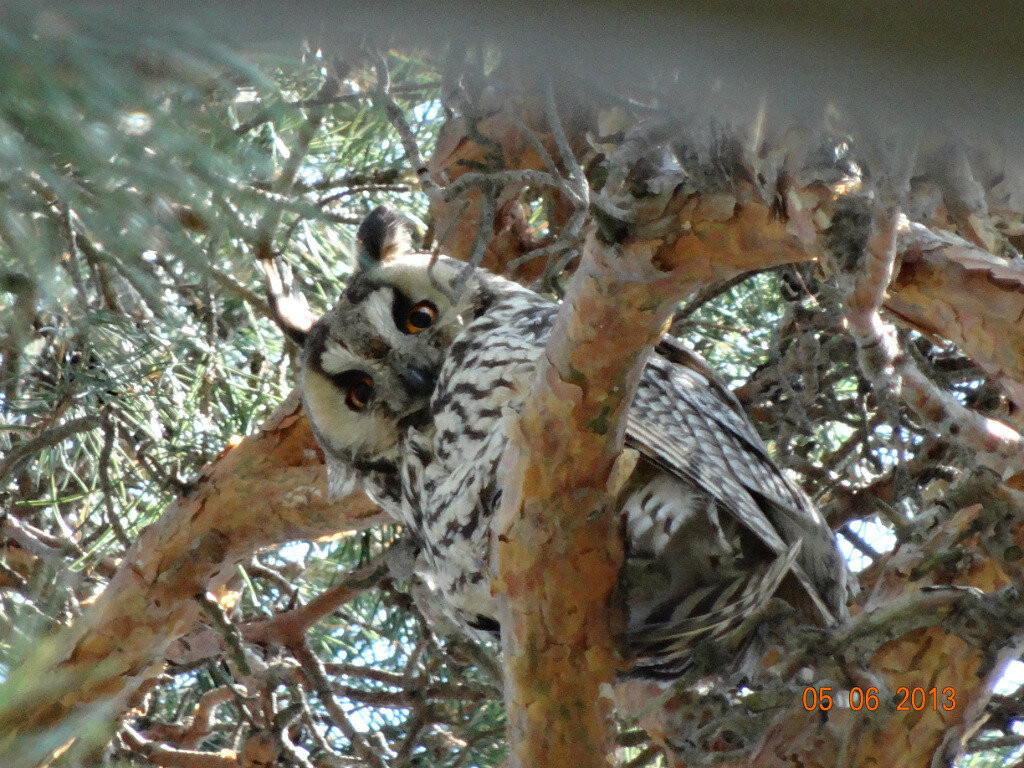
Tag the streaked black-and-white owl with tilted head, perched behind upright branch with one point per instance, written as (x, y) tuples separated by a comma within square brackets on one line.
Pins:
[(409, 382)]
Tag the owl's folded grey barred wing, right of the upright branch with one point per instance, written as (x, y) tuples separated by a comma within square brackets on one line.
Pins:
[(686, 422)]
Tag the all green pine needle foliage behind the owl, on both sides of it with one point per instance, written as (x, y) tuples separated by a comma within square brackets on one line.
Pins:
[(141, 177)]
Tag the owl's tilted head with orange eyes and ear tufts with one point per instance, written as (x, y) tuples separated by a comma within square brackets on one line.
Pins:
[(370, 365)]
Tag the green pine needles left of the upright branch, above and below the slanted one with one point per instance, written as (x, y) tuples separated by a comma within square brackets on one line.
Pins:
[(140, 174)]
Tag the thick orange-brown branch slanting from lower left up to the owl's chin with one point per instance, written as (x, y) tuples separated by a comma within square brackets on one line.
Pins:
[(268, 490)]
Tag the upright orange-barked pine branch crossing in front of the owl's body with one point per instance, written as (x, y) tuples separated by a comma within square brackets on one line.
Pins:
[(557, 541)]
